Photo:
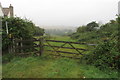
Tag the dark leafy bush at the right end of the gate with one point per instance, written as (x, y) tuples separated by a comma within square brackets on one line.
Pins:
[(106, 55)]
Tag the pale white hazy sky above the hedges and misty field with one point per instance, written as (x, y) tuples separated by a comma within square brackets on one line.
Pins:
[(64, 12)]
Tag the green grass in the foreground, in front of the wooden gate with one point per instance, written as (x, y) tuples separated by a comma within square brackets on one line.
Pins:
[(51, 67)]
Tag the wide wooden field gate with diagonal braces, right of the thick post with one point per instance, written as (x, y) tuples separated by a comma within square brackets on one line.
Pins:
[(56, 49)]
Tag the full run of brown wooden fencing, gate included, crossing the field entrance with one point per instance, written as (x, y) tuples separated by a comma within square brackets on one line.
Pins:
[(19, 46)]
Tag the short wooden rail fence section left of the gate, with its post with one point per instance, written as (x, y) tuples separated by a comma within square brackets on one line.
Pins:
[(20, 48)]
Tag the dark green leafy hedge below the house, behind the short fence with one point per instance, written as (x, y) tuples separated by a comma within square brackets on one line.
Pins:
[(18, 29)]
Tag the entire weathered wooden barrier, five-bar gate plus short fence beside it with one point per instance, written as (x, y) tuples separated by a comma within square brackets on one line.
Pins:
[(41, 43)]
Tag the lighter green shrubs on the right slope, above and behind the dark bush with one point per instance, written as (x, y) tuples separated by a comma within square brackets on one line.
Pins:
[(95, 35)]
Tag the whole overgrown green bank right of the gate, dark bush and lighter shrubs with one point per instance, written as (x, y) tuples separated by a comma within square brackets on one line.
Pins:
[(106, 54)]
